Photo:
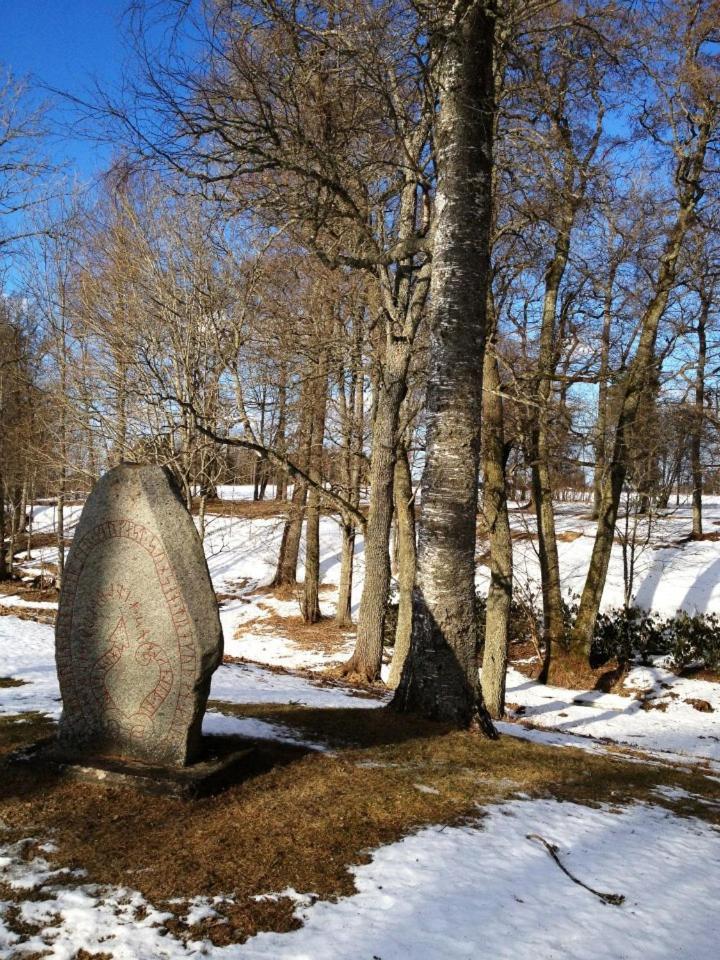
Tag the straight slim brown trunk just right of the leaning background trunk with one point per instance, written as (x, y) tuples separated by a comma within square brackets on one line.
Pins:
[(311, 588)]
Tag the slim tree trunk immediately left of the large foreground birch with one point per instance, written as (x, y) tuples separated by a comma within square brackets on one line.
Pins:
[(407, 560)]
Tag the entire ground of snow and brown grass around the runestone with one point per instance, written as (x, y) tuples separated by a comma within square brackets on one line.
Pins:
[(360, 834)]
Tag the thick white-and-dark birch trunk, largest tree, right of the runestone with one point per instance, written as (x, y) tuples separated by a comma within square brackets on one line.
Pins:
[(440, 678)]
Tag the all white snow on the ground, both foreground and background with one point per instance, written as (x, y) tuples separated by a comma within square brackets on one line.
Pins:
[(482, 890)]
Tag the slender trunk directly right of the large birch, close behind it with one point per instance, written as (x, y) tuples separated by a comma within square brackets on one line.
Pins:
[(499, 598)]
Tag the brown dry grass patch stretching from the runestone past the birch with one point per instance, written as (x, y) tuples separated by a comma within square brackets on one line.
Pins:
[(301, 818)]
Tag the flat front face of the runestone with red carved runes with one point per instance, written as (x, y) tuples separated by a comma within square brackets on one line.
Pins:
[(125, 642)]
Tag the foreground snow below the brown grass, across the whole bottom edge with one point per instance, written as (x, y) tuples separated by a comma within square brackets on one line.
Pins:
[(485, 890)]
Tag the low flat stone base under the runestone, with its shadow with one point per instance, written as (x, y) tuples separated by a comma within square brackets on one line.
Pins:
[(224, 761)]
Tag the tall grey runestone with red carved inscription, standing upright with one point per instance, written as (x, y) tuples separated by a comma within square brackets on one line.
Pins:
[(138, 634)]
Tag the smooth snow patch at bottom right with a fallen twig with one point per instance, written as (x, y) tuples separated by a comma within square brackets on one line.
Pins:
[(488, 891)]
